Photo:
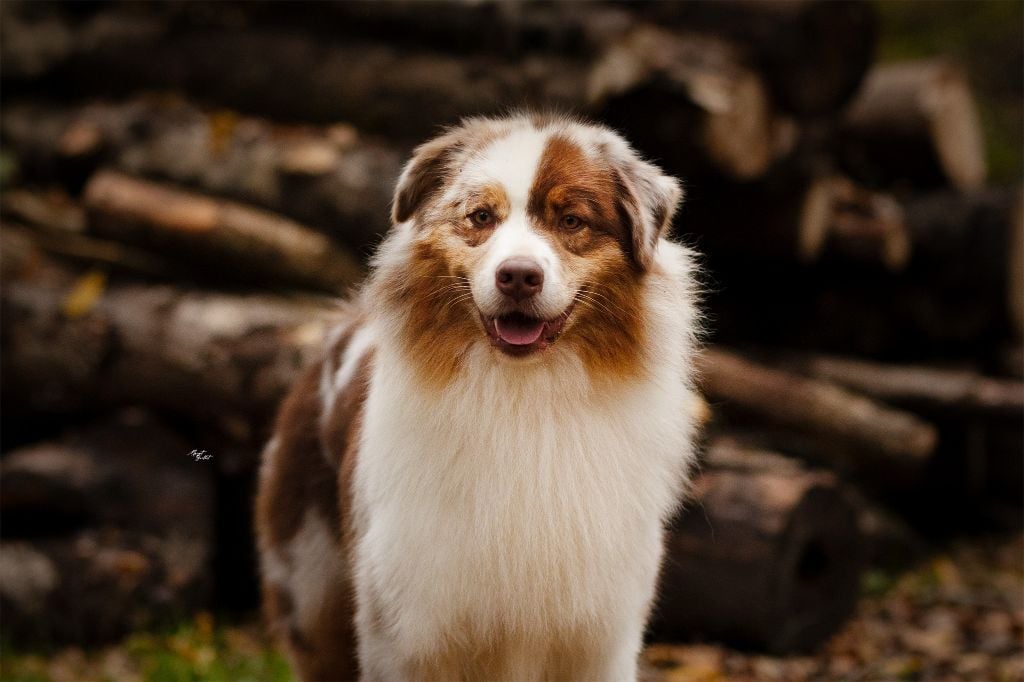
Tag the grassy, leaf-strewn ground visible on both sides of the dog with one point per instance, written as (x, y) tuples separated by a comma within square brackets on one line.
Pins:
[(958, 616)]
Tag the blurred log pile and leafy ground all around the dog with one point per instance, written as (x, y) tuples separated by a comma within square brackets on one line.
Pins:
[(188, 187)]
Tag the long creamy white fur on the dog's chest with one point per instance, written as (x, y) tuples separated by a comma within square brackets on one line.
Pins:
[(519, 501)]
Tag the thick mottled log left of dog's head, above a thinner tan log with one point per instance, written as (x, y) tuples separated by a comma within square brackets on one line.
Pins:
[(330, 178)]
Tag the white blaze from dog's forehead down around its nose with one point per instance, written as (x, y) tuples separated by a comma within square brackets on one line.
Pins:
[(513, 163)]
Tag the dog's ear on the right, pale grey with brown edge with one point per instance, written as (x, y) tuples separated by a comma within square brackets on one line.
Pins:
[(649, 200)]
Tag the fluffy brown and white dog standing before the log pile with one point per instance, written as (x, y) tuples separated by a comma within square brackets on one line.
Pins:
[(474, 483)]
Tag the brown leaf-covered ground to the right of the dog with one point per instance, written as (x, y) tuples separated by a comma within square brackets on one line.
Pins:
[(959, 616)]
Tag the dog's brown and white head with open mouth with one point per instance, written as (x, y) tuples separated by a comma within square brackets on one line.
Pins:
[(530, 232)]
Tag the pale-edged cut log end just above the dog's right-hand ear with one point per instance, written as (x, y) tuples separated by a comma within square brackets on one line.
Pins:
[(737, 131)]
